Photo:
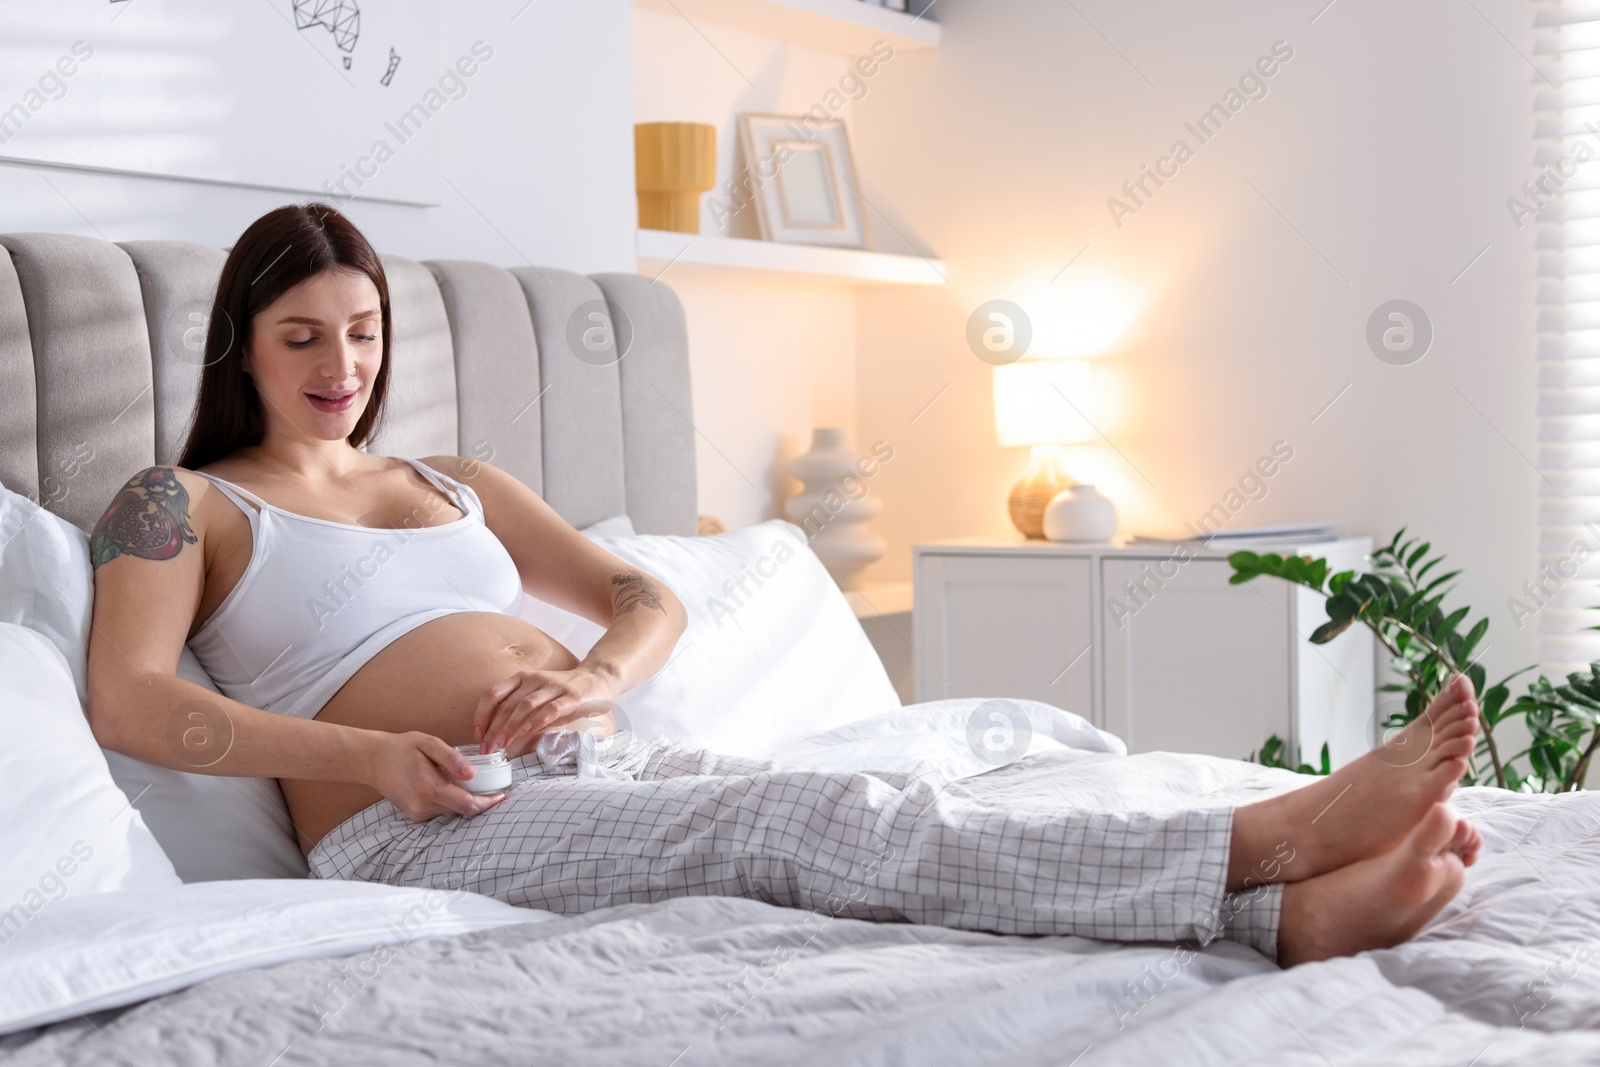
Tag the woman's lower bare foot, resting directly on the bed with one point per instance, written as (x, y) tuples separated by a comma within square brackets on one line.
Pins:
[(1377, 903)]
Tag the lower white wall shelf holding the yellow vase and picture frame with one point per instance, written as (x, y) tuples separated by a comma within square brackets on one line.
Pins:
[(700, 254)]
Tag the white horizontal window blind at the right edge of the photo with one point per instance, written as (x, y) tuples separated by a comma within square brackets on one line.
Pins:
[(1564, 201)]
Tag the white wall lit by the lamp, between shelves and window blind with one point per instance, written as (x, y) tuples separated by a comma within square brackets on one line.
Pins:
[(1386, 146)]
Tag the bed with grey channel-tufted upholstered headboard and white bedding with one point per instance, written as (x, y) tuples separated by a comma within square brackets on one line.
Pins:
[(175, 957)]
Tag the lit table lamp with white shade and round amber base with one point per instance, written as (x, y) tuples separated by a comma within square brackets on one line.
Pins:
[(1039, 404)]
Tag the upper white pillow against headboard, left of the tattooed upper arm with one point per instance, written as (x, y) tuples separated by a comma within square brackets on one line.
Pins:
[(46, 580)]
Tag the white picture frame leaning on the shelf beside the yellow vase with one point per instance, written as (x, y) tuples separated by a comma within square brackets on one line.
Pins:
[(804, 180)]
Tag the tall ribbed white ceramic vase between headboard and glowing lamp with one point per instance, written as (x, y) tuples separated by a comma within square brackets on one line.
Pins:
[(834, 506)]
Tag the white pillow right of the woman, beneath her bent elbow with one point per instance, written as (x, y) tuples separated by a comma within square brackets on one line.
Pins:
[(759, 668)]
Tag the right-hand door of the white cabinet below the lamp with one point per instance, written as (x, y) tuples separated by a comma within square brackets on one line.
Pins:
[(1196, 665)]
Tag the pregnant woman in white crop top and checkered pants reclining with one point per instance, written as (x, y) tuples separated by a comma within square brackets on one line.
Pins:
[(361, 615)]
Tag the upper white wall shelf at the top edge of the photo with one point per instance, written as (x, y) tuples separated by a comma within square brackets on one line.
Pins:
[(842, 26)]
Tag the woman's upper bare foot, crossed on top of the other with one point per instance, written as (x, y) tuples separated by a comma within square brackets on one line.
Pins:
[(1366, 809)]
